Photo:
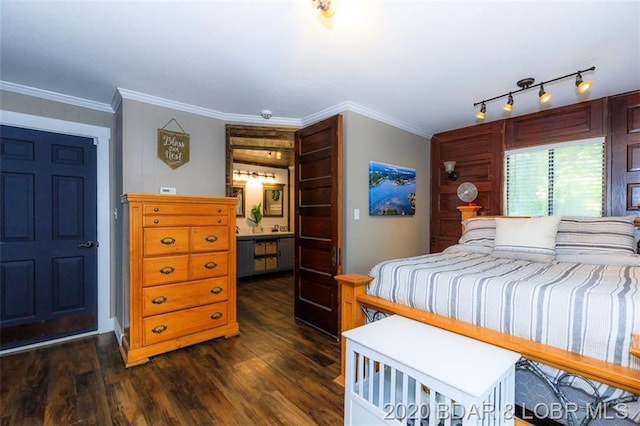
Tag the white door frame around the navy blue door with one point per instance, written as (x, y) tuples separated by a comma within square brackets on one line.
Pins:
[(101, 137)]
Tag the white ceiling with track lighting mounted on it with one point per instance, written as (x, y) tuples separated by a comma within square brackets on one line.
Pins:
[(418, 65)]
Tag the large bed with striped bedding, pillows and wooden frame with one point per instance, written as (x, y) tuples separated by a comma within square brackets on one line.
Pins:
[(563, 292)]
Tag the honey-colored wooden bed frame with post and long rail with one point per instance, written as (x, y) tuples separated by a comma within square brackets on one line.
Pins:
[(353, 298)]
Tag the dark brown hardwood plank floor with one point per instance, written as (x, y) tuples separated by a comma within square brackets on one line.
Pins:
[(274, 372)]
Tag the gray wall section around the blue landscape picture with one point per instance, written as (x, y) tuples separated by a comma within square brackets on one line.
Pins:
[(375, 238)]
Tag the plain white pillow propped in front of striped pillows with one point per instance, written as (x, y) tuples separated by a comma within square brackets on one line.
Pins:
[(531, 239)]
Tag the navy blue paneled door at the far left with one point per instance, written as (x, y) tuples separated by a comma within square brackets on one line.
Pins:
[(48, 230)]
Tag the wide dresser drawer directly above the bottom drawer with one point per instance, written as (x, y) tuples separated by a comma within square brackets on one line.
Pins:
[(172, 297)]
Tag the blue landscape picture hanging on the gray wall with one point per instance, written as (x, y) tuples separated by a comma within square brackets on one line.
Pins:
[(392, 190)]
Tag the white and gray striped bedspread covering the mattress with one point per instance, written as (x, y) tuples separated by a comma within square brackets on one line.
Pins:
[(590, 309)]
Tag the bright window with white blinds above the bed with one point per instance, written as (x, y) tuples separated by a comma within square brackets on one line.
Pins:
[(565, 178)]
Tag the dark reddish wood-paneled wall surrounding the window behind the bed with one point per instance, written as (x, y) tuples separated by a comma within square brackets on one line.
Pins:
[(478, 152)]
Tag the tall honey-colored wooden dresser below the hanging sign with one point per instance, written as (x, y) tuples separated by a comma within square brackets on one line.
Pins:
[(181, 271)]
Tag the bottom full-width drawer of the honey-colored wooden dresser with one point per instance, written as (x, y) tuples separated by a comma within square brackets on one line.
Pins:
[(159, 328)]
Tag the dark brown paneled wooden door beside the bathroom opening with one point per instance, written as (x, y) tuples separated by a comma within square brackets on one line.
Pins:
[(318, 213)]
